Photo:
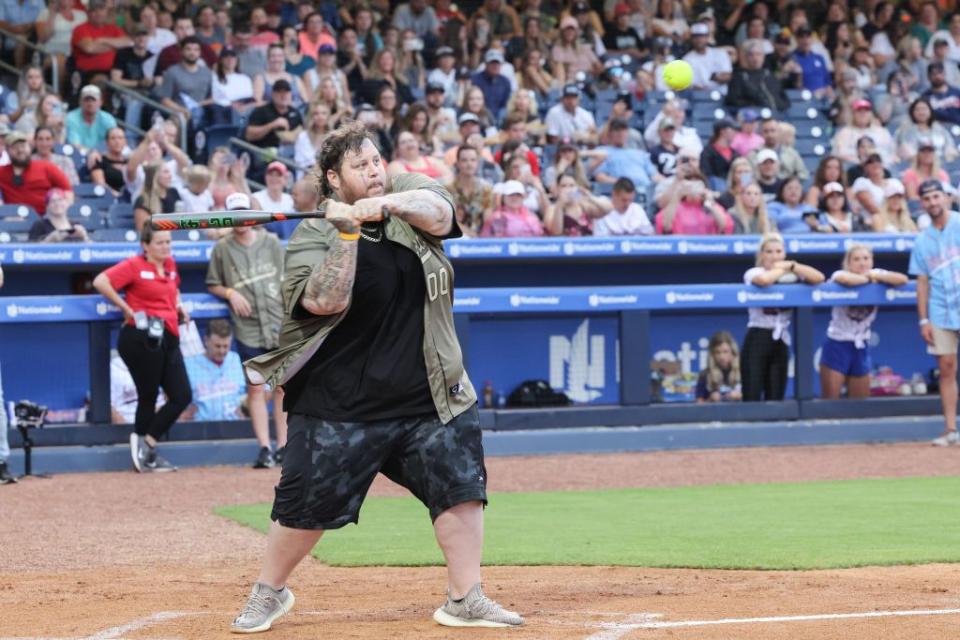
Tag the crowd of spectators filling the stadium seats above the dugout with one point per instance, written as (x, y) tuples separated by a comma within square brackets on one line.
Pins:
[(861, 100)]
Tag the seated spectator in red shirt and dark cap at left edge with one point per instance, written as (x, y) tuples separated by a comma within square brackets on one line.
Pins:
[(26, 180)]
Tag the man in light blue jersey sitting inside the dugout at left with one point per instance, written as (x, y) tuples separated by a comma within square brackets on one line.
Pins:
[(216, 377)]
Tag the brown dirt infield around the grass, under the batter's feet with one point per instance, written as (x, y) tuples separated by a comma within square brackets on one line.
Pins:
[(142, 557)]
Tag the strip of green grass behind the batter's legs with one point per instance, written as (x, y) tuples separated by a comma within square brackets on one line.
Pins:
[(762, 526)]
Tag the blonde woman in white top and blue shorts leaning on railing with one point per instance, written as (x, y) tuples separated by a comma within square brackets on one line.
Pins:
[(845, 357)]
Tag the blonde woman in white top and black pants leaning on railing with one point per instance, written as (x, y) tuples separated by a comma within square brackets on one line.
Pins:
[(766, 347)]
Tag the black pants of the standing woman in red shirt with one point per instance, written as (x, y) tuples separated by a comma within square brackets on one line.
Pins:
[(152, 367)]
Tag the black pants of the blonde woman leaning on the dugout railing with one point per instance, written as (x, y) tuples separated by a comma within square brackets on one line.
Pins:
[(763, 366)]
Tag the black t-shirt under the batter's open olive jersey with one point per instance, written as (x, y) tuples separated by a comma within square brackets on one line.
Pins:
[(371, 366)]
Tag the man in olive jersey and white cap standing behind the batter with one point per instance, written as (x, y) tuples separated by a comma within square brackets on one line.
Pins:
[(245, 269)]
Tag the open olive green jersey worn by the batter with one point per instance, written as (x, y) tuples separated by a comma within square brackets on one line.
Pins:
[(302, 333)]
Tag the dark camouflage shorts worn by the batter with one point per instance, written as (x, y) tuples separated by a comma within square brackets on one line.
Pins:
[(329, 466)]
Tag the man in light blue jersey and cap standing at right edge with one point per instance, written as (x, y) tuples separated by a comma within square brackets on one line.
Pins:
[(933, 262)]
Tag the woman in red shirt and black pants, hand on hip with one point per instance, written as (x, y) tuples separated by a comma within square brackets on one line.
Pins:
[(149, 341)]
